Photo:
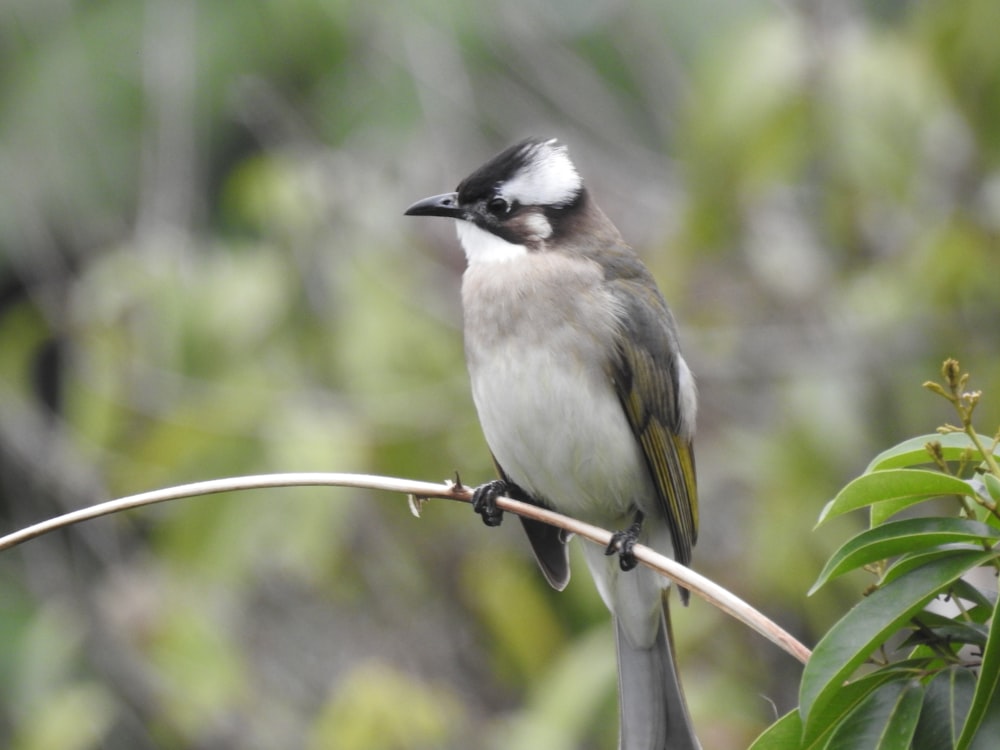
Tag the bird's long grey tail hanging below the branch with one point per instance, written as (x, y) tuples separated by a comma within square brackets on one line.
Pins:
[(651, 704)]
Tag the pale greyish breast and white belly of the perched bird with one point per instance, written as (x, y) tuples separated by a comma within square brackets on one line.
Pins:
[(546, 404)]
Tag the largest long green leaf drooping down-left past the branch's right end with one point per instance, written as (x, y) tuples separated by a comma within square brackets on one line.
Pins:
[(849, 642)]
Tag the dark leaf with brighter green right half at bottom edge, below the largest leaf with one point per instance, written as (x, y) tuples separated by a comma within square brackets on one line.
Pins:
[(885, 720)]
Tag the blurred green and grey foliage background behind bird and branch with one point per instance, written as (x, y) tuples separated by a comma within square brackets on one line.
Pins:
[(205, 272)]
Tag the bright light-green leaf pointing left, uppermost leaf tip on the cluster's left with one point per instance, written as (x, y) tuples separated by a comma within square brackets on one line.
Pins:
[(899, 488)]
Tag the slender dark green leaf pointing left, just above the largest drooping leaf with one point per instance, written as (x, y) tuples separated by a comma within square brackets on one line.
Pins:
[(898, 537)]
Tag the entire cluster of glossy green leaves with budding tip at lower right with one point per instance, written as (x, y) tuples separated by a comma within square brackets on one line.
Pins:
[(916, 663)]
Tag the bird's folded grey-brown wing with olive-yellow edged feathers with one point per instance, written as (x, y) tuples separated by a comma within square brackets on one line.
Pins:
[(644, 370)]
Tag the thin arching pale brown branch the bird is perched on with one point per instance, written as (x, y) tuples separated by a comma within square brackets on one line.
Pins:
[(419, 491)]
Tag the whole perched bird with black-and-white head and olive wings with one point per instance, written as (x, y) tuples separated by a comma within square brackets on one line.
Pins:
[(586, 404)]
